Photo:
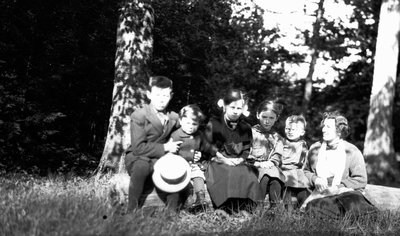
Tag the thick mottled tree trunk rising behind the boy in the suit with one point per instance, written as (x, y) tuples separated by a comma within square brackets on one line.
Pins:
[(134, 47)]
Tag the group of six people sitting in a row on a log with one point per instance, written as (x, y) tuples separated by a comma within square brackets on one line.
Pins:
[(240, 165)]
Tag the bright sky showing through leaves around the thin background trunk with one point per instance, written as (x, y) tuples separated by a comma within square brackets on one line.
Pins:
[(326, 42)]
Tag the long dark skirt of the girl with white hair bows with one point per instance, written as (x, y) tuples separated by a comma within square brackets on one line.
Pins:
[(232, 182)]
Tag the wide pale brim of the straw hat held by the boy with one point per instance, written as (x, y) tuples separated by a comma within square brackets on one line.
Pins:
[(166, 187)]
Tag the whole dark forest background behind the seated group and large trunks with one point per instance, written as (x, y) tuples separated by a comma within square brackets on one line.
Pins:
[(57, 65)]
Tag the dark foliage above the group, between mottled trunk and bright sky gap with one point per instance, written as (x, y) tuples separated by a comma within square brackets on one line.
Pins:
[(207, 46)]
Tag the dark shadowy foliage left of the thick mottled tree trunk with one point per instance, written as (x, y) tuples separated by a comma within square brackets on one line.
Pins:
[(57, 70)]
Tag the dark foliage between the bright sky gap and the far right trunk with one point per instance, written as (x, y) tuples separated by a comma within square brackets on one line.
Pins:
[(351, 91)]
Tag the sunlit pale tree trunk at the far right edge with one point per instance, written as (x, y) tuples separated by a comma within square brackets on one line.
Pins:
[(378, 147)]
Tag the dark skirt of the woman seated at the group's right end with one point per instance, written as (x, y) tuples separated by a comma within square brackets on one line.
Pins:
[(336, 207)]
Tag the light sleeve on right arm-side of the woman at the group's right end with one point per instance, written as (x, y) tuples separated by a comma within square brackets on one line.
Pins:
[(357, 172)]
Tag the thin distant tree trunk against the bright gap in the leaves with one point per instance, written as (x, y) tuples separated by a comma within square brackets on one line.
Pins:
[(319, 14)]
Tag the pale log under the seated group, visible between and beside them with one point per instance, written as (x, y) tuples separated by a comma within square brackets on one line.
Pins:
[(384, 198)]
